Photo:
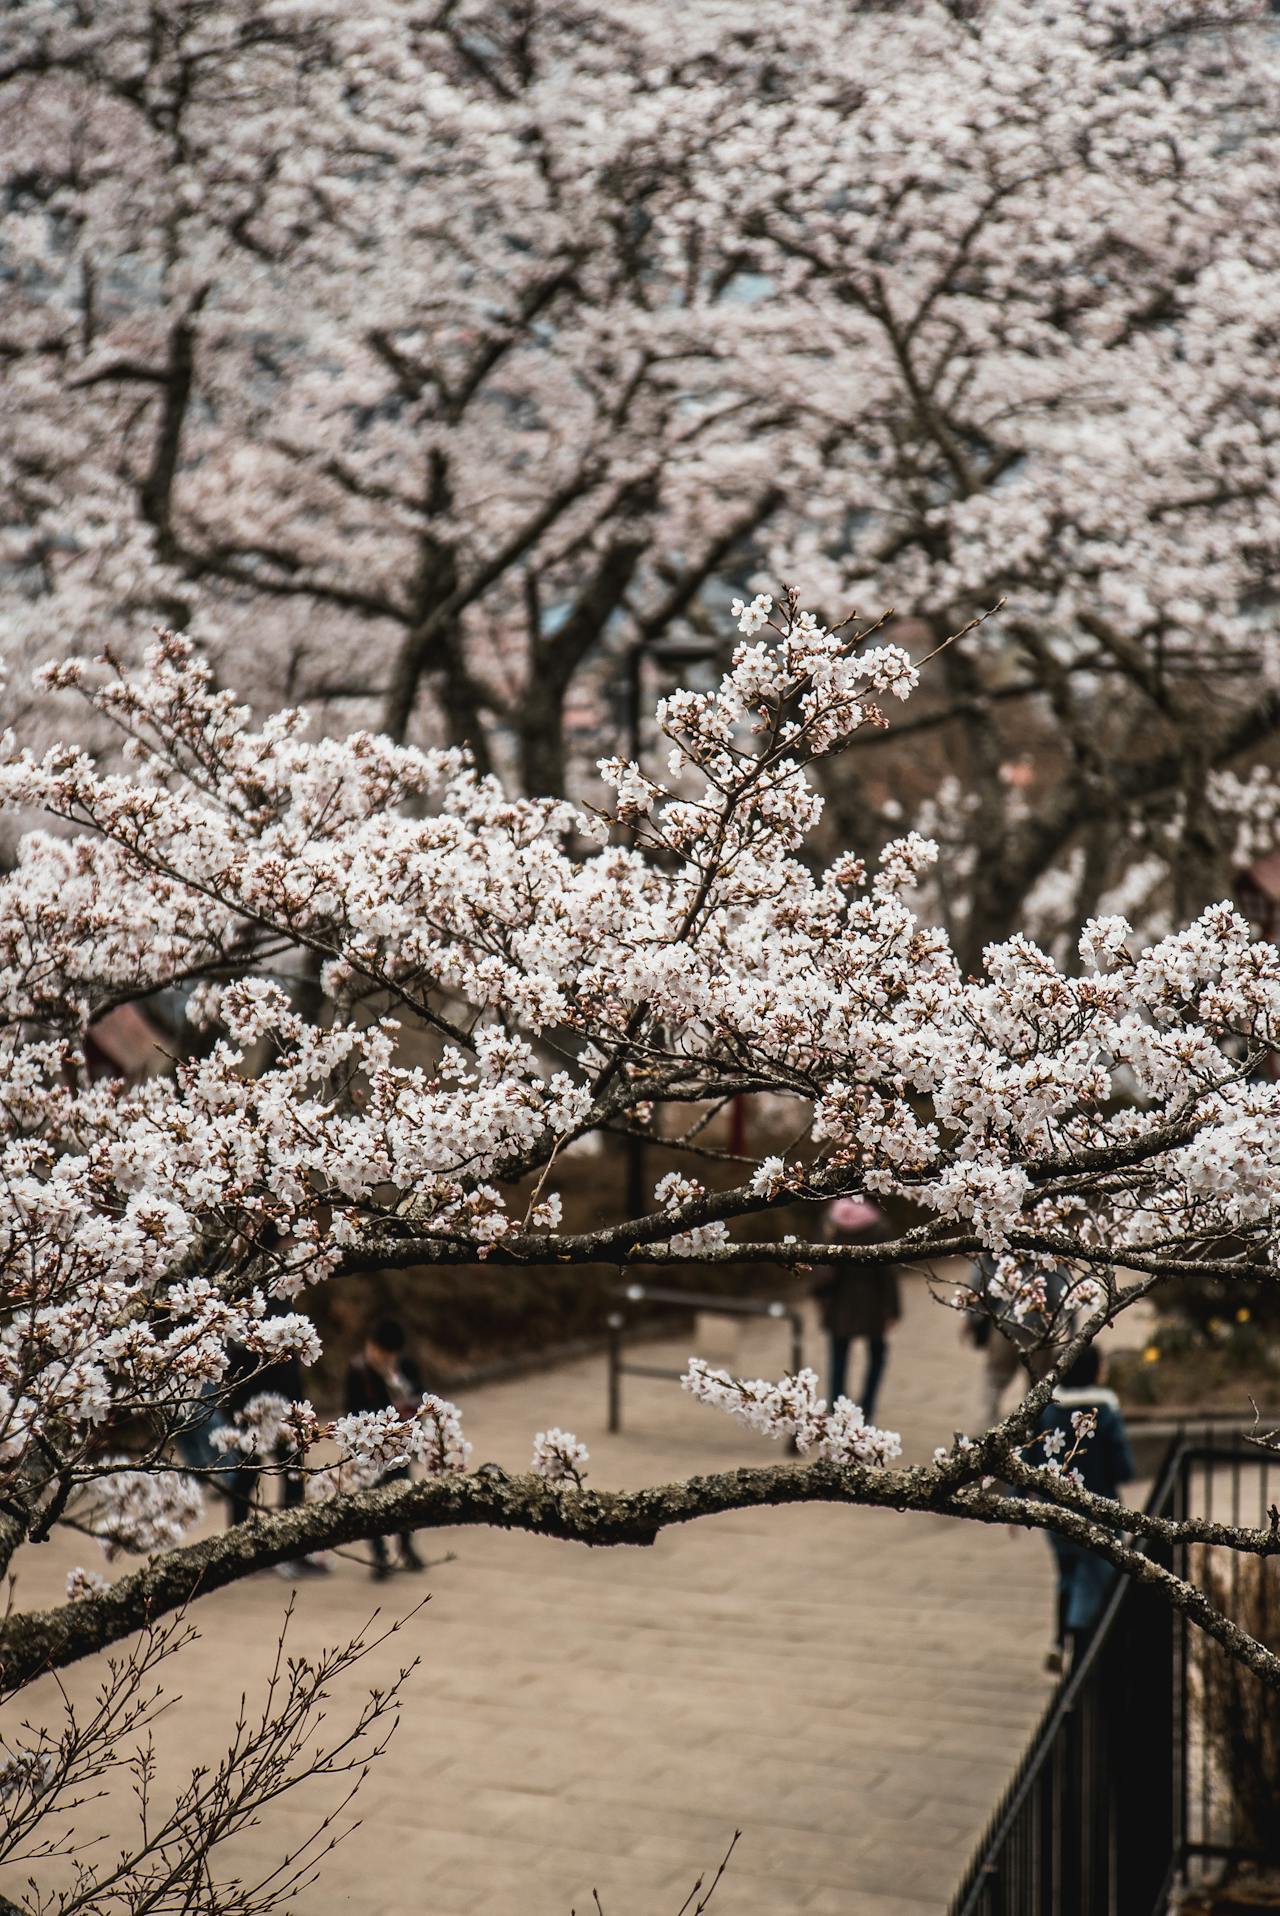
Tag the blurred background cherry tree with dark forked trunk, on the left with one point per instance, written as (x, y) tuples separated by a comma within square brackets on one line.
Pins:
[(394, 323)]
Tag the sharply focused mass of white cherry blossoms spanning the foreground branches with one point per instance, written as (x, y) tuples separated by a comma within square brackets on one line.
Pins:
[(553, 974)]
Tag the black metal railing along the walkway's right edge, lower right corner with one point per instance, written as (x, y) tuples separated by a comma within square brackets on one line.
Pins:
[(1124, 1789)]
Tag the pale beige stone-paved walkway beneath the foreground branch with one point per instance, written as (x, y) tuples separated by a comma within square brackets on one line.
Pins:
[(852, 1689)]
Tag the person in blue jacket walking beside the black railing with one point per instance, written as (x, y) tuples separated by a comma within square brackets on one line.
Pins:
[(1105, 1463)]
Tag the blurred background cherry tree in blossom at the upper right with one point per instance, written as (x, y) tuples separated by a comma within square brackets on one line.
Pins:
[(1041, 252)]
